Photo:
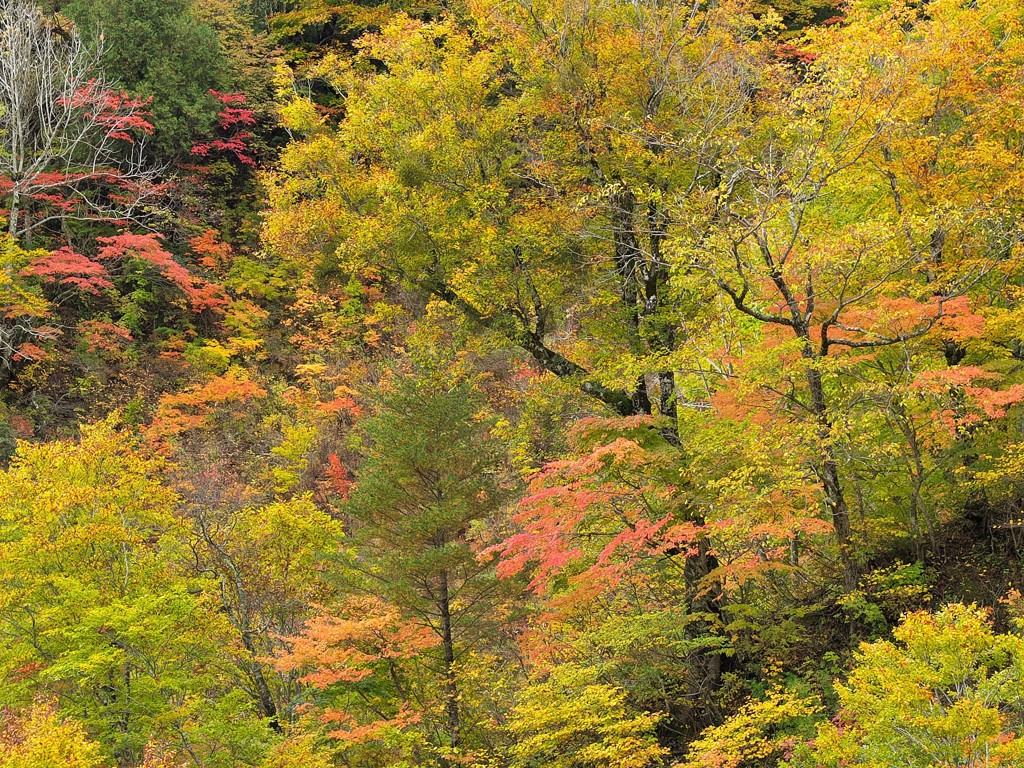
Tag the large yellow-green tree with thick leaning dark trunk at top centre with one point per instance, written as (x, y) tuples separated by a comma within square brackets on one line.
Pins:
[(487, 174)]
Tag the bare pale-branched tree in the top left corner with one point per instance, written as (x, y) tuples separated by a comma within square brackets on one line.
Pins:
[(72, 146)]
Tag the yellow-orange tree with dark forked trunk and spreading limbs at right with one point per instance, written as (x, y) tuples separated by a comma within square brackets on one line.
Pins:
[(813, 234)]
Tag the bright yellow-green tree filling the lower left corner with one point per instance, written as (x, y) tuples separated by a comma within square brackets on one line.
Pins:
[(95, 610)]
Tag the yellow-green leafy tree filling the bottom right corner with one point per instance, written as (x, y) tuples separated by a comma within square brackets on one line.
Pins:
[(945, 693)]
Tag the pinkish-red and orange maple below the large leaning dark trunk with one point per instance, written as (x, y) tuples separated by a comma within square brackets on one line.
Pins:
[(618, 547)]
